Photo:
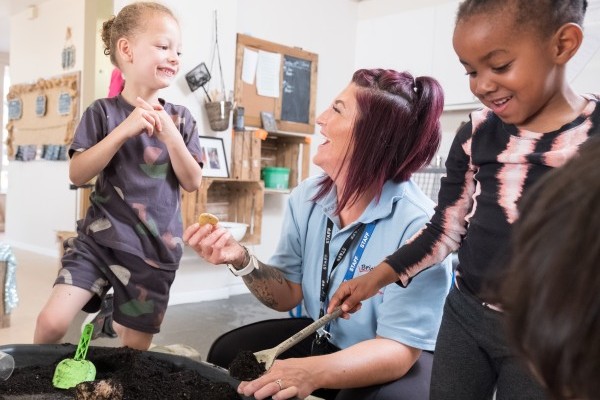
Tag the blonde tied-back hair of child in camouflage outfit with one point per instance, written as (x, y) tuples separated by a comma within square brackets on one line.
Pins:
[(127, 23)]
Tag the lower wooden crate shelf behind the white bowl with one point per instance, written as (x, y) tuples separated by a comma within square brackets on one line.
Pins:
[(230, 200)]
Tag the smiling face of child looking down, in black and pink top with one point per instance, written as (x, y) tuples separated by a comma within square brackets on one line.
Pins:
[(510, 71)]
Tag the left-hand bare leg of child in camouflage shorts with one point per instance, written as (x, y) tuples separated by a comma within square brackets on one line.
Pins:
[(62, 306)]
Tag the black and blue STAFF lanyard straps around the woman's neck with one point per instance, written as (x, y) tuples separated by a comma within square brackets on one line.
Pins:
[(367, 232)]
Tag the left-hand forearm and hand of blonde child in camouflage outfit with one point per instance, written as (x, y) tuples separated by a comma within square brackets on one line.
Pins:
[(87, 164)]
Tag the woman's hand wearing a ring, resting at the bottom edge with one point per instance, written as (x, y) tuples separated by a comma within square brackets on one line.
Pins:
[(286, 379)]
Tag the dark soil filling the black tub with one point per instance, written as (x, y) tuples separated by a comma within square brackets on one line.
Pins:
[(142, 377)]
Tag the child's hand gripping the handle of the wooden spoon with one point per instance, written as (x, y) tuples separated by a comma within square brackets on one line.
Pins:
[(350, 293)]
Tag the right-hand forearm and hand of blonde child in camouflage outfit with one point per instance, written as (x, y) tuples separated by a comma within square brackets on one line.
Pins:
[(187, 169)]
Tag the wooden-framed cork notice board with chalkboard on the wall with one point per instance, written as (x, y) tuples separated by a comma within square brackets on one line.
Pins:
[(294, 108)]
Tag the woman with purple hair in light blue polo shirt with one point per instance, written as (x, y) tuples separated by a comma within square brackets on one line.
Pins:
[(378, 131)]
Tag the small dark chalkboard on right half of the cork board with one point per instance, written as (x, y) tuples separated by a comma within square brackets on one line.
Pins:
[(295, 101)]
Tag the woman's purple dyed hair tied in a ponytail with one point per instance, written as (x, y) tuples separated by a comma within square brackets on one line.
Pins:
[(396, 132)]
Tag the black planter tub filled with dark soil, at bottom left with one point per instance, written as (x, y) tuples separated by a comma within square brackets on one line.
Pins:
[(143, 374)]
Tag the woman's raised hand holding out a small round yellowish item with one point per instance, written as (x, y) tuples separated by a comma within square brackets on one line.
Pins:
[(214, 244)]
